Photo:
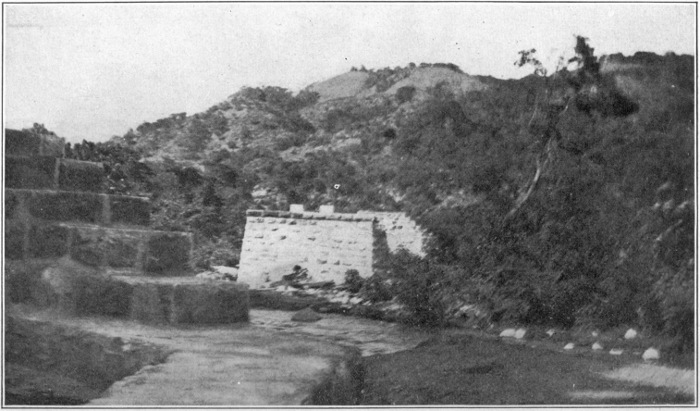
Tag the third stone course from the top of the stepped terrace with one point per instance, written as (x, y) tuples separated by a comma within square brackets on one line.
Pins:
[(36, 206)]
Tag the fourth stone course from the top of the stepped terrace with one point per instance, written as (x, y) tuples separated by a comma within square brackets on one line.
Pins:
[(140, 252)]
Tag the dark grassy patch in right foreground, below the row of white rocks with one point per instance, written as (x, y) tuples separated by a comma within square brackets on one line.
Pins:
[(465, 370)]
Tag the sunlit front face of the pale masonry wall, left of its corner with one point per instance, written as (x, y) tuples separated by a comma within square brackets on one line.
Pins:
[(326, 244)]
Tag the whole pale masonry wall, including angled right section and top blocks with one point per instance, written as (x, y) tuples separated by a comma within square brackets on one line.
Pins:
[(326, 243)]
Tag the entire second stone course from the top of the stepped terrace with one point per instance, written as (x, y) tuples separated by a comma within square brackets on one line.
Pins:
[(50, 173)]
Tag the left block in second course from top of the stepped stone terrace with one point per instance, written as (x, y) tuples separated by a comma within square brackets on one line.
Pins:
[(30, 172)]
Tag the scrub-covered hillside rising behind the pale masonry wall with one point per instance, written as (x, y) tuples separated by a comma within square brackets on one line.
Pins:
[(566, 199)]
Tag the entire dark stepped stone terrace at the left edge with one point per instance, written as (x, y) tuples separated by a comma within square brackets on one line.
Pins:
[(70, 246)]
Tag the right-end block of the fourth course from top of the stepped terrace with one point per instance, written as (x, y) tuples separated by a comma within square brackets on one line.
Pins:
[(168, 253)]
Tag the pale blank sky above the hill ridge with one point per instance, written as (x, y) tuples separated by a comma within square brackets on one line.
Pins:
[(92, 71)]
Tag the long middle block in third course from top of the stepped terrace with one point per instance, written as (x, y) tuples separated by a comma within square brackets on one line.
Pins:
[(65, 206)]
